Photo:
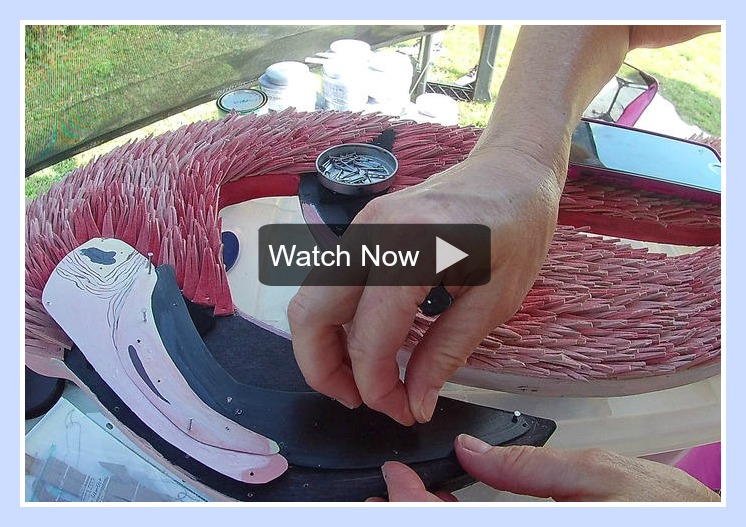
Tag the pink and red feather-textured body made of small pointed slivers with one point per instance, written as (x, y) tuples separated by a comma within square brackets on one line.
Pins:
[(599, 310)]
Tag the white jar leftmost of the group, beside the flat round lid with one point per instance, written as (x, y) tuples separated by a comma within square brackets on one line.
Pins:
[(289, 84)]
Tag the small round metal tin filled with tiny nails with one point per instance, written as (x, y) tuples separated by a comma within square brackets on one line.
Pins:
[(356, 169)]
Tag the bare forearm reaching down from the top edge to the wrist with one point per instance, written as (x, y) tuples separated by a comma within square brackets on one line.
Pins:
[(554, 73)]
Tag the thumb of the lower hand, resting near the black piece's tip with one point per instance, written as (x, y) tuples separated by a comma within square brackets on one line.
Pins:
[(531, 471)]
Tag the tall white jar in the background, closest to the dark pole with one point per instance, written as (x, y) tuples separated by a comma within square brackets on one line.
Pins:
[(389, 80)]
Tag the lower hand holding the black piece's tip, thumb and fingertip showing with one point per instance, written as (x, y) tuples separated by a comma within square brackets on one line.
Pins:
[(563, 475)]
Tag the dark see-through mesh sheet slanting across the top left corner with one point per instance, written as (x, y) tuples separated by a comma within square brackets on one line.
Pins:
[(88, 84)]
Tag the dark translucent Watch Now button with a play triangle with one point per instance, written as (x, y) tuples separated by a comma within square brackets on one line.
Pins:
[(382, 255)]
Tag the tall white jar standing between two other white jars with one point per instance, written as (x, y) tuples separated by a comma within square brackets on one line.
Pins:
[(344, 75)]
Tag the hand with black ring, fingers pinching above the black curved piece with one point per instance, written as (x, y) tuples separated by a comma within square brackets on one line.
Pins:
[(346, 338)]
